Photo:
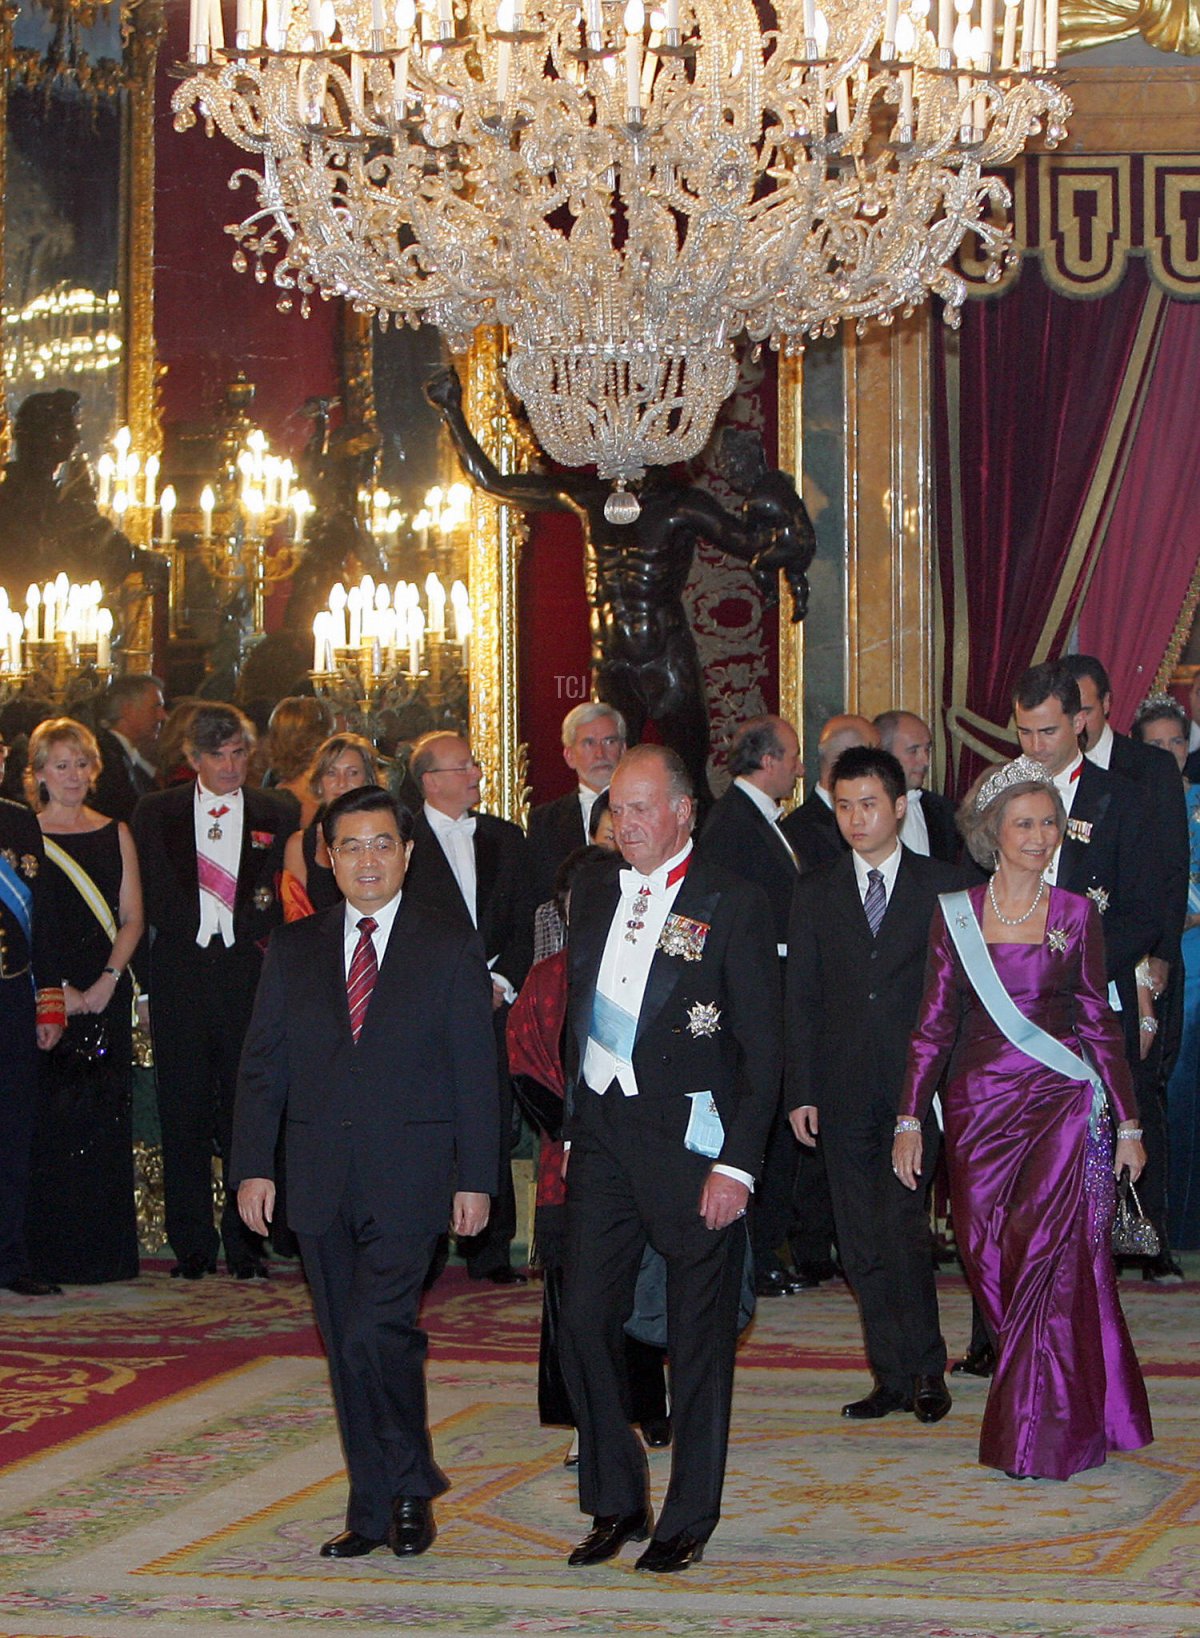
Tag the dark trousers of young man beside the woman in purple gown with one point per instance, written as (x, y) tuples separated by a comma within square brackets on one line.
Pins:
[(885, 1242)]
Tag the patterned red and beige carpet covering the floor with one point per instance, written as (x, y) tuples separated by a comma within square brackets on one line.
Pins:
[(187, 1468)]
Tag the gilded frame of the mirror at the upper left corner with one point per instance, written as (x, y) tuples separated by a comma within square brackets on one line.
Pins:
[(142, 30)]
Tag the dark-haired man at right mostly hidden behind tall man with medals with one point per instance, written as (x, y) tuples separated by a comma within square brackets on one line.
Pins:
[(1163, 792)]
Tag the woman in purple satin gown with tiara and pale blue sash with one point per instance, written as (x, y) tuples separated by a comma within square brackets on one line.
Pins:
[(1031, 1151)]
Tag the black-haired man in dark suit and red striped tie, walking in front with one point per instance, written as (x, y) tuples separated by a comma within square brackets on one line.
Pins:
[(372, 1043)]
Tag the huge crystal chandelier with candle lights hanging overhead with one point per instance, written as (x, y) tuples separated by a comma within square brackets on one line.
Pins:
[(626, 192)]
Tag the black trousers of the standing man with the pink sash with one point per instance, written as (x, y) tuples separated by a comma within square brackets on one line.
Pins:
[(201, 1010)]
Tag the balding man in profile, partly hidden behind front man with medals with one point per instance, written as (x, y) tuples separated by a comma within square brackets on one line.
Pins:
[(742, 835)]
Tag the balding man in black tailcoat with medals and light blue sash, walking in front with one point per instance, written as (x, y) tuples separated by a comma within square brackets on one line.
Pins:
[(674, 1069)]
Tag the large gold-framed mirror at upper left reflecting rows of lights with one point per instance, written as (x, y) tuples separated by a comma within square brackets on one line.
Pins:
[(78, 210)]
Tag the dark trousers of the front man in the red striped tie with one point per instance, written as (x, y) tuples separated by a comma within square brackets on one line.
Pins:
[(366, 1288)]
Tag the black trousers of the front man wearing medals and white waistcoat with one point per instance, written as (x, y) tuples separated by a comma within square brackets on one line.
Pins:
[(631, 1182)]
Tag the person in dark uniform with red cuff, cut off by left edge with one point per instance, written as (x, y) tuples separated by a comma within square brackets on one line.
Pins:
[(30, 1021)]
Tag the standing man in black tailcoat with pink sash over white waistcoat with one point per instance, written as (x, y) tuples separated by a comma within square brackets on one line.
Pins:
[(210, 856)]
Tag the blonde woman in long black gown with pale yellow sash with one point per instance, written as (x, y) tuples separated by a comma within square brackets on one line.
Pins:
[(81, 1223)]
